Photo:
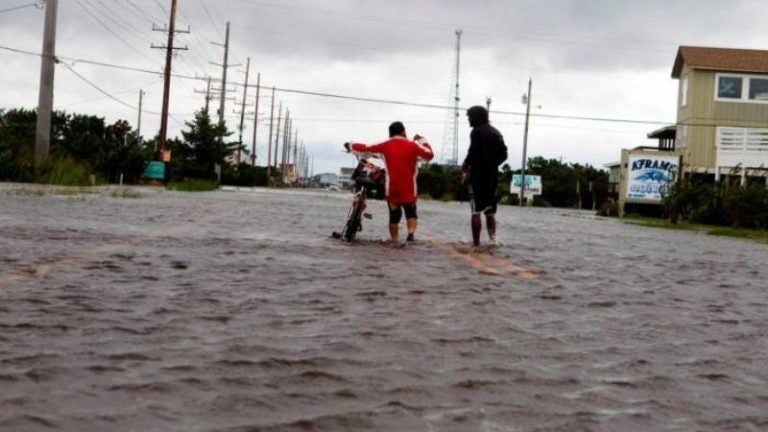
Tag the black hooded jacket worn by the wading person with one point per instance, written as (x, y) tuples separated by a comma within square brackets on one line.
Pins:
[(486, 148)]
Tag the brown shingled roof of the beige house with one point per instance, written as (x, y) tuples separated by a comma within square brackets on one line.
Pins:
[(720, 59)]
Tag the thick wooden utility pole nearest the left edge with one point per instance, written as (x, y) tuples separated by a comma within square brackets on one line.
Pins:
[(45, 96)]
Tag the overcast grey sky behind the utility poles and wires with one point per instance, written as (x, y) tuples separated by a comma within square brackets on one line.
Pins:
[(601, 59)]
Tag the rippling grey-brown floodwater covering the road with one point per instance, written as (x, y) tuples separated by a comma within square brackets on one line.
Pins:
[(235, 311)]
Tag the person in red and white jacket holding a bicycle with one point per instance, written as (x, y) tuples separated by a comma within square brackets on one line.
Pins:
[(400, 157)]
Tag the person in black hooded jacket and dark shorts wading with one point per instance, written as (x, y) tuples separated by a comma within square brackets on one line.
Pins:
[(481, 168)]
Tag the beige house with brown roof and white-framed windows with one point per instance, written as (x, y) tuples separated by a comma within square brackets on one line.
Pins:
[(722, 115)]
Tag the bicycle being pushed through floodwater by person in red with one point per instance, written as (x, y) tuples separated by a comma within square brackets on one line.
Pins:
[(368, 183)]
